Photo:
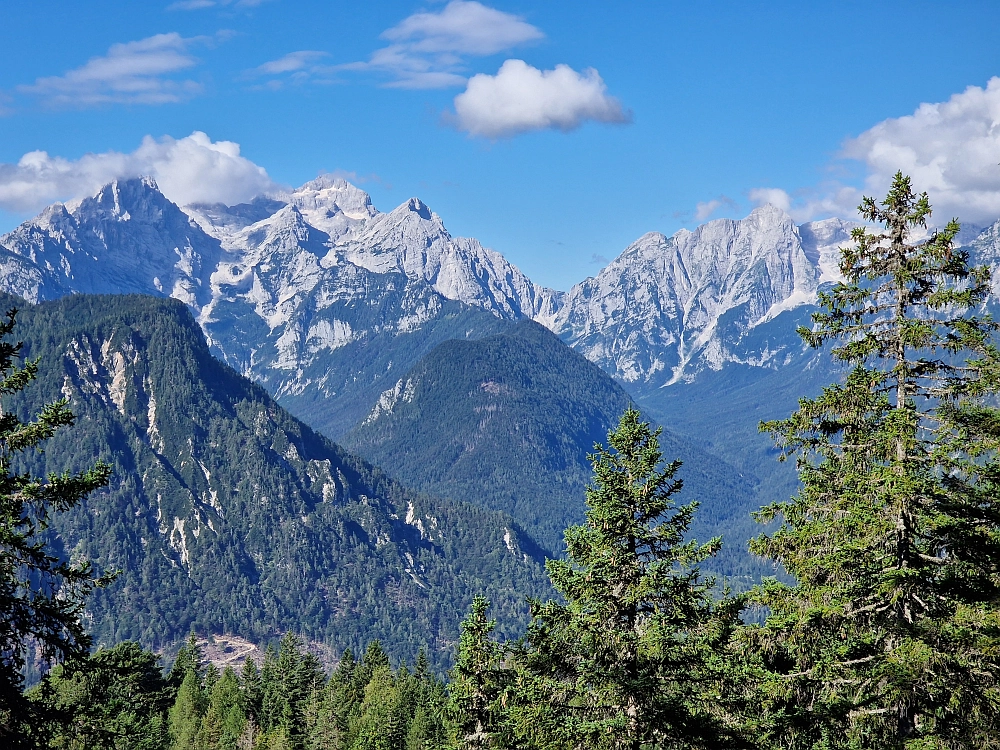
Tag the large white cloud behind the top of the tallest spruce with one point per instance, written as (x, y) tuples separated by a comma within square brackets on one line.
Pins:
[(951, 150)]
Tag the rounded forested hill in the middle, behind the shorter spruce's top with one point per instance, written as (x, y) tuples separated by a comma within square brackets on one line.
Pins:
[(506, 422)]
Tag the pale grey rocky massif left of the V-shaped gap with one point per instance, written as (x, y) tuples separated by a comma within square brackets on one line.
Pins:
[(283, 286)]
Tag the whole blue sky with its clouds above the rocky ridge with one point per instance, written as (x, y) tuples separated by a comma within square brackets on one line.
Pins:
[(555, 132)]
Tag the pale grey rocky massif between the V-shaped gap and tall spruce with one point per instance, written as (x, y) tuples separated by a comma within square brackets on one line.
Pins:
[(668, 307)]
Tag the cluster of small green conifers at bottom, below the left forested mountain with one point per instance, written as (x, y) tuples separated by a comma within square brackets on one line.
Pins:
[(366, 706)]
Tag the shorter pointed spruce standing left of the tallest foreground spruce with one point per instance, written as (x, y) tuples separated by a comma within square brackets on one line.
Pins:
[(625, 662)]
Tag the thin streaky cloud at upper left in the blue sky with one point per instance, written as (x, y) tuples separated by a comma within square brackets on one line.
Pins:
[(140, 72)]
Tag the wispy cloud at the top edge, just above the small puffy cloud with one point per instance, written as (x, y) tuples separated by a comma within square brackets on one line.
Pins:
[(429, 49)]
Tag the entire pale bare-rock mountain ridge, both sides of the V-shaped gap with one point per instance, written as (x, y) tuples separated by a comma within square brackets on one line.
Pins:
[(287, 286)]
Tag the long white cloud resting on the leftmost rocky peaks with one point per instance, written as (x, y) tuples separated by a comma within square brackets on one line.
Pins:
[(193, 169)]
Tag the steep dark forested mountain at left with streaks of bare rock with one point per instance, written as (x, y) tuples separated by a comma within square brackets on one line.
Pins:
[(229, 516)]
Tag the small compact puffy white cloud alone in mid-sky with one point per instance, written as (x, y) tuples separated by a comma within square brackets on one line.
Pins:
[(520, 98)]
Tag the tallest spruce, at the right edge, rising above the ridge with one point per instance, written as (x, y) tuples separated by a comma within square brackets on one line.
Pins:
[(891, 637)]
